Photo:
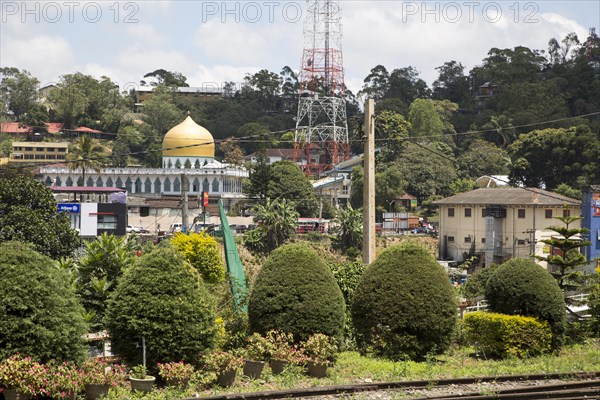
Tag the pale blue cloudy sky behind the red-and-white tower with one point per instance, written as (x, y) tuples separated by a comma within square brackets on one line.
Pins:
[(212, 42)]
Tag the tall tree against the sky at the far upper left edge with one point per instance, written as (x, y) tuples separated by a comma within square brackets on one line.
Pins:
[(18, 90)]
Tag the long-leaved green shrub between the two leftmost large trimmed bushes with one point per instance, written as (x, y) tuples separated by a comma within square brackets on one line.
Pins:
[(102, 264)]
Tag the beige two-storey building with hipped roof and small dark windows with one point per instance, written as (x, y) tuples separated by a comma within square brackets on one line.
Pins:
[(500, 224)]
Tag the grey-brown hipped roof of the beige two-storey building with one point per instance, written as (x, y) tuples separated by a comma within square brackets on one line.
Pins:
[(509, 196)]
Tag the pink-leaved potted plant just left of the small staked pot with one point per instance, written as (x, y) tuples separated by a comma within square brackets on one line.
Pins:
[(99, 377)]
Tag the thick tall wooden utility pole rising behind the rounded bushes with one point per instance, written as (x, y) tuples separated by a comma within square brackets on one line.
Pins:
[(369, 185)]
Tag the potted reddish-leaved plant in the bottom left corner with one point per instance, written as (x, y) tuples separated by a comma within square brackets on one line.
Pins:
[(21, 377)]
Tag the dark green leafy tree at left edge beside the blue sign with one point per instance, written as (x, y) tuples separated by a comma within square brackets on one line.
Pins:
[(29, 213)]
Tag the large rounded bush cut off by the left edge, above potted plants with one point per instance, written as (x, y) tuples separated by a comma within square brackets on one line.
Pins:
[(40, 314)]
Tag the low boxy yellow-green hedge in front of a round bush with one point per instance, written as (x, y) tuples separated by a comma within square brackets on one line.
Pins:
[(500, 335)]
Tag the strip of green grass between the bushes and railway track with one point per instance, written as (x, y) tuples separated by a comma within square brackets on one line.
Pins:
[(352, 368)]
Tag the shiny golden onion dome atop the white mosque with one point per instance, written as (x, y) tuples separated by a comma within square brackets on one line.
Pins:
[(188, 139)]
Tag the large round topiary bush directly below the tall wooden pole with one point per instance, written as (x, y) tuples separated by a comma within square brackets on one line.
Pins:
[(404, 305)]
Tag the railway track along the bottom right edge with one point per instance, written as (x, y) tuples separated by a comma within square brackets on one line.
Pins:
[(579, 386)]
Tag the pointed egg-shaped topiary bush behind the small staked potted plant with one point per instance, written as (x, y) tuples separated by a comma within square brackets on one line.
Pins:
[(162, 299)]
